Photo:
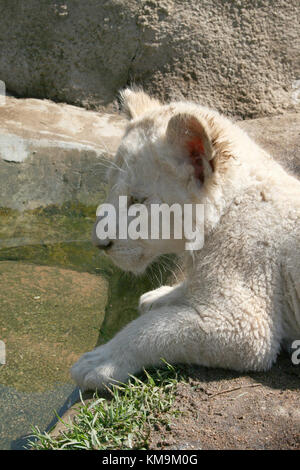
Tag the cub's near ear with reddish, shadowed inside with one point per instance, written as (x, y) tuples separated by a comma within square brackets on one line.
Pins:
[(190, 135)]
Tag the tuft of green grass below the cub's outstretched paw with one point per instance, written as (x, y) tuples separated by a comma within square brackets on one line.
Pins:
[(122, 421)]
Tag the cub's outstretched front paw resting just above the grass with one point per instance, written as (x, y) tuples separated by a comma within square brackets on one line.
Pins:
[(96, 370)]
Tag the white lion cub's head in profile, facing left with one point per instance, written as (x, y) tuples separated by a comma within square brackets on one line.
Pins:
[(172, 154)]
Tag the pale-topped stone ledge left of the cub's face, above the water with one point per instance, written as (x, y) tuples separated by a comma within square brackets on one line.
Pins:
[(51, 153)]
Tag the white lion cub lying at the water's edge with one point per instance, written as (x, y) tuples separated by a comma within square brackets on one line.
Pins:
[(240, 300)]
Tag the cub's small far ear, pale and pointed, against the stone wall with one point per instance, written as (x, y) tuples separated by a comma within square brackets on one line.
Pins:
[(136, 102)]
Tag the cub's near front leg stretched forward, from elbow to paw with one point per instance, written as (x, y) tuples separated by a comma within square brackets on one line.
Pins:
[(179, 334)]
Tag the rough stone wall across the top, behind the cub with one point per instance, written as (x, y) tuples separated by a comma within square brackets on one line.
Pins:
[(241, 57)]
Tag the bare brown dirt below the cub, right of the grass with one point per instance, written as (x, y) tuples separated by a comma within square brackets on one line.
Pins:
[(226, 410)]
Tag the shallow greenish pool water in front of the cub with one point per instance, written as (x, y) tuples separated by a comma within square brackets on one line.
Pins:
[(55, 291)]
